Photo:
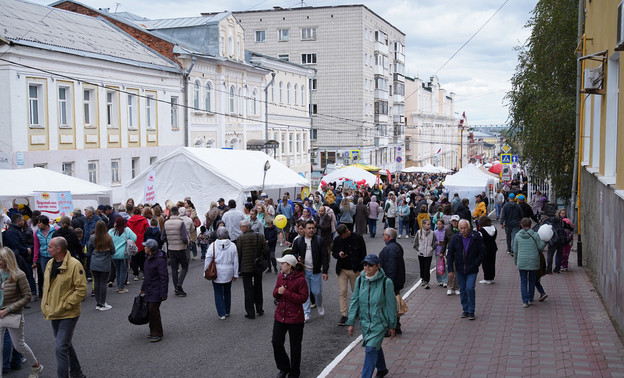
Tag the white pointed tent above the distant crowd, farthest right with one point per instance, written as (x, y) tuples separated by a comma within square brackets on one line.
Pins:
[(468, 182)]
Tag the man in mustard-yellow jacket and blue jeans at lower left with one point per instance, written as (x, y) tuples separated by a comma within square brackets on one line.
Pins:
[(64, 289)]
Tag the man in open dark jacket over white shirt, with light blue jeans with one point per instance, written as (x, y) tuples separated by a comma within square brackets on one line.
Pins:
[(310, 251)]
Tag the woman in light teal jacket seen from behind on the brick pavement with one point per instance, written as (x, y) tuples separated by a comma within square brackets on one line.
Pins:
[(526, 248)]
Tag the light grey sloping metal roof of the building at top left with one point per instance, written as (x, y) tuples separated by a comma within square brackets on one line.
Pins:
[(44, 27)]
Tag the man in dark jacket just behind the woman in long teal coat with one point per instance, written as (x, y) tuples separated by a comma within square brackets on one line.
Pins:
[(392, 262)]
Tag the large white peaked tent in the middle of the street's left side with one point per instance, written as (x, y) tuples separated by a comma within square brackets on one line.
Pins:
[(206, 174)]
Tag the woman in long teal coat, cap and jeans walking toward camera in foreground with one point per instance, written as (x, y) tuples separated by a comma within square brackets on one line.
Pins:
[(373, 301)]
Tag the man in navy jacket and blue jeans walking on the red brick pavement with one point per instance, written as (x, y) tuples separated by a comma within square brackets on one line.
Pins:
[(465, 253)]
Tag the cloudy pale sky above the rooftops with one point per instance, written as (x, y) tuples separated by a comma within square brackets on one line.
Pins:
[(435, 29)]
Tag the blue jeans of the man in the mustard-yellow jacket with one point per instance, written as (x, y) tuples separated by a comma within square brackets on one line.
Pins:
[(66, 359)]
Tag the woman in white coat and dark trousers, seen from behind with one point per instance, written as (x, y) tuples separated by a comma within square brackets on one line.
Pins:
[(226, 260)]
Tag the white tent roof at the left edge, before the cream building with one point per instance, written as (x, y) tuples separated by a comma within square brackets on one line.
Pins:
[(22, 184)]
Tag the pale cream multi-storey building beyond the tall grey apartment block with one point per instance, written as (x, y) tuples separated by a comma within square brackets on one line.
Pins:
[(431, 133)]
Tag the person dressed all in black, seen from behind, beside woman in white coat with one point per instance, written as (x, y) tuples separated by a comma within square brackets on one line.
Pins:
[(250, 246)]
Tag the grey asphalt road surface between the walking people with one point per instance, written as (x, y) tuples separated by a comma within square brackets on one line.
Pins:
[(196, 342)]
